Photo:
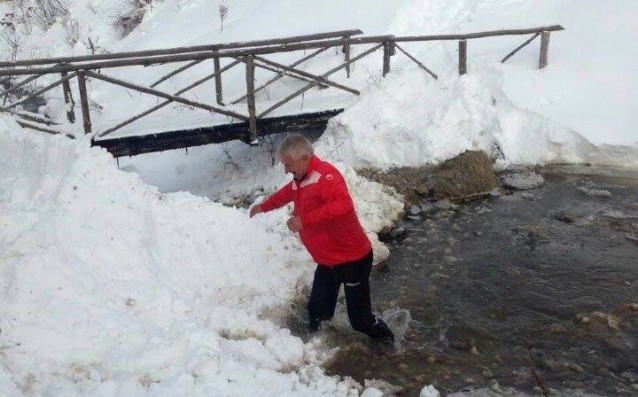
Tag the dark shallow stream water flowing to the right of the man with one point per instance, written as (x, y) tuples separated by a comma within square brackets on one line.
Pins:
[(534, 291)]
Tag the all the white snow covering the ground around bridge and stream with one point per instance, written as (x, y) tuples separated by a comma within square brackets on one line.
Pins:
[(112, 287)]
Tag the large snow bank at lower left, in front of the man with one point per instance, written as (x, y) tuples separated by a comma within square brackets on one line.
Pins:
[(111, 288)]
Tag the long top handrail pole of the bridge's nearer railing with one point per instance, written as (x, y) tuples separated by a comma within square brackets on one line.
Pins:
[(148, 61)]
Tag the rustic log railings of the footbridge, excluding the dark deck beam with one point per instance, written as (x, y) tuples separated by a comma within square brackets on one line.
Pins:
[(251, 54)]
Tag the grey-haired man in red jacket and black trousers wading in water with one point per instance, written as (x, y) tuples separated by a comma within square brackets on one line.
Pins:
[(325, 218)]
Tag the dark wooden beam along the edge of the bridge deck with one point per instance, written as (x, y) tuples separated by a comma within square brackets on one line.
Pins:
[(134, 145)]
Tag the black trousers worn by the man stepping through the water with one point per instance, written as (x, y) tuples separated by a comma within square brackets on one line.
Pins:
[(325, 290)]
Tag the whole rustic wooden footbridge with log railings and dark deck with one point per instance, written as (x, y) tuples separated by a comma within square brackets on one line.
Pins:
[(246, 123)]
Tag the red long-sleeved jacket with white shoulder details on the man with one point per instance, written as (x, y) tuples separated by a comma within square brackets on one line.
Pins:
[(331, 230)]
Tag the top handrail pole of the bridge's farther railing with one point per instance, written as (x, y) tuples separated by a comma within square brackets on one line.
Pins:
[(181, 50)]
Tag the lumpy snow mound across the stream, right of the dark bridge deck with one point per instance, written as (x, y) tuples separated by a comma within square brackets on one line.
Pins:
[(409, 119)]
